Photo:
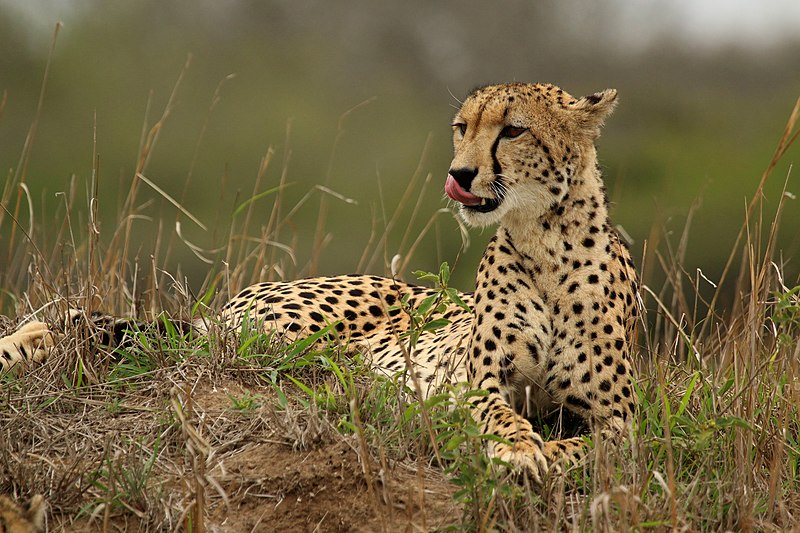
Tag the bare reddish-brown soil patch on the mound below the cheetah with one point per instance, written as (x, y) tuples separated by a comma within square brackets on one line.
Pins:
[(326, 490)]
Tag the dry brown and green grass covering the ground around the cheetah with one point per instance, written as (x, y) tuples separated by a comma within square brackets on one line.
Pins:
[(237, 432)]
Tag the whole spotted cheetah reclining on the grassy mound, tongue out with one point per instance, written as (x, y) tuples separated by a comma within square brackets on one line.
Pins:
[(550, 326)]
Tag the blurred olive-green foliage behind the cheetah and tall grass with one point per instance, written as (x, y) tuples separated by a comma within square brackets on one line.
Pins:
[(692, 123)]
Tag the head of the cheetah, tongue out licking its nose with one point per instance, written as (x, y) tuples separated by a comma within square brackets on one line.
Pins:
[(518, 149)]
